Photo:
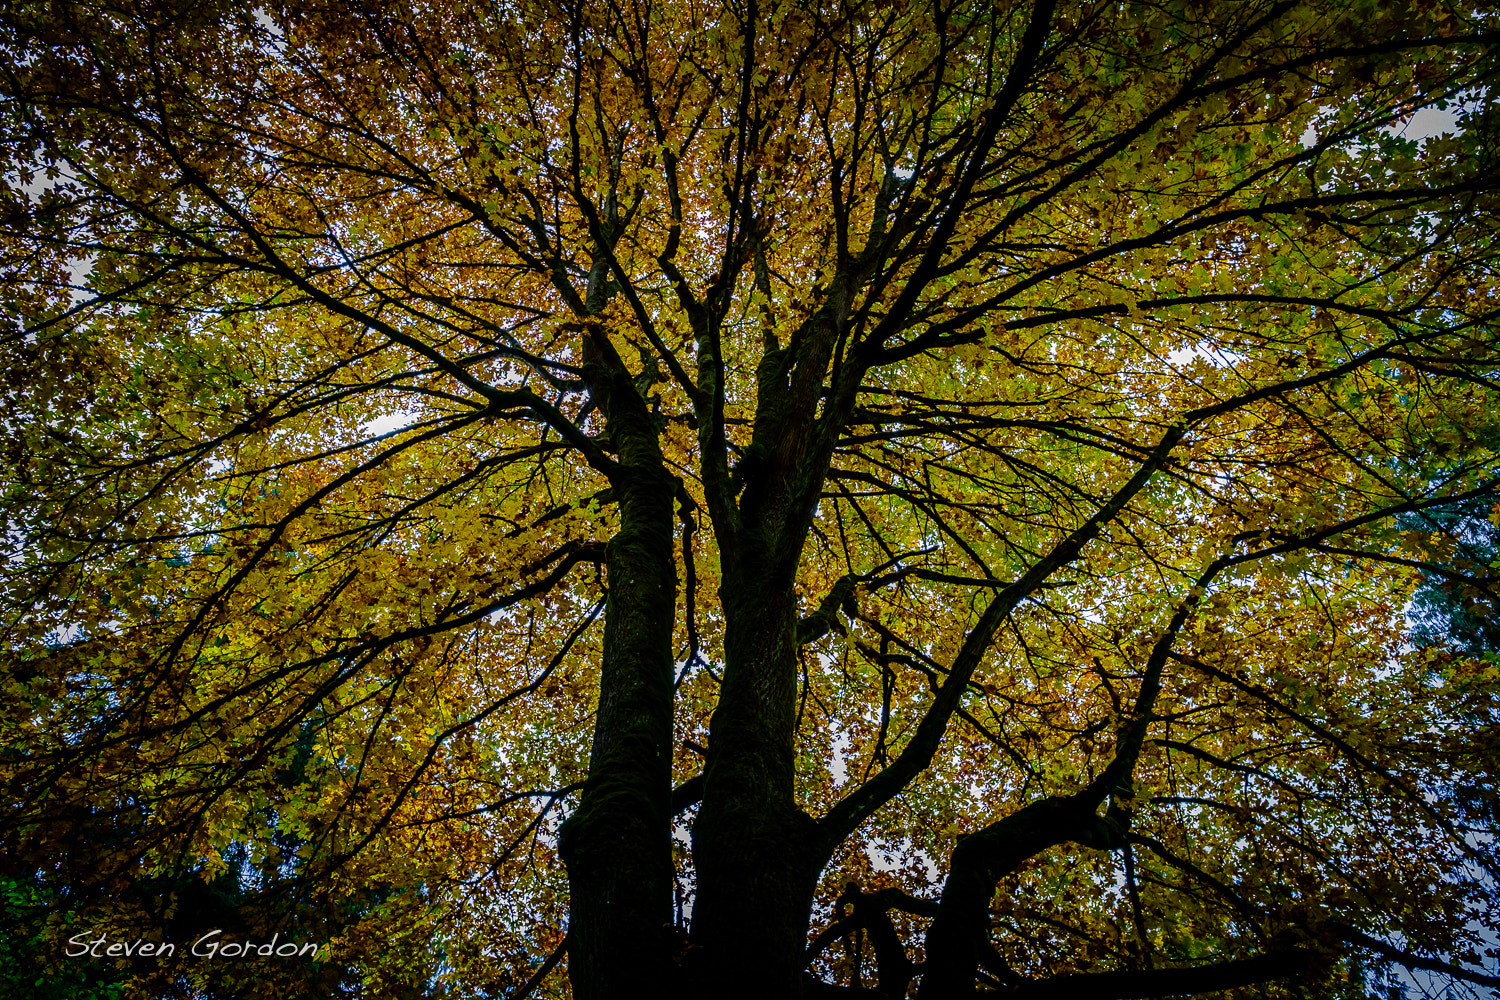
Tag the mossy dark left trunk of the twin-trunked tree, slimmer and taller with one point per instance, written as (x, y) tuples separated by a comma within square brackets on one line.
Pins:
[(617, 846)]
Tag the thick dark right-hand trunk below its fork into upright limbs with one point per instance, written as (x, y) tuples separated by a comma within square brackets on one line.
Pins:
[(752, 845)]
